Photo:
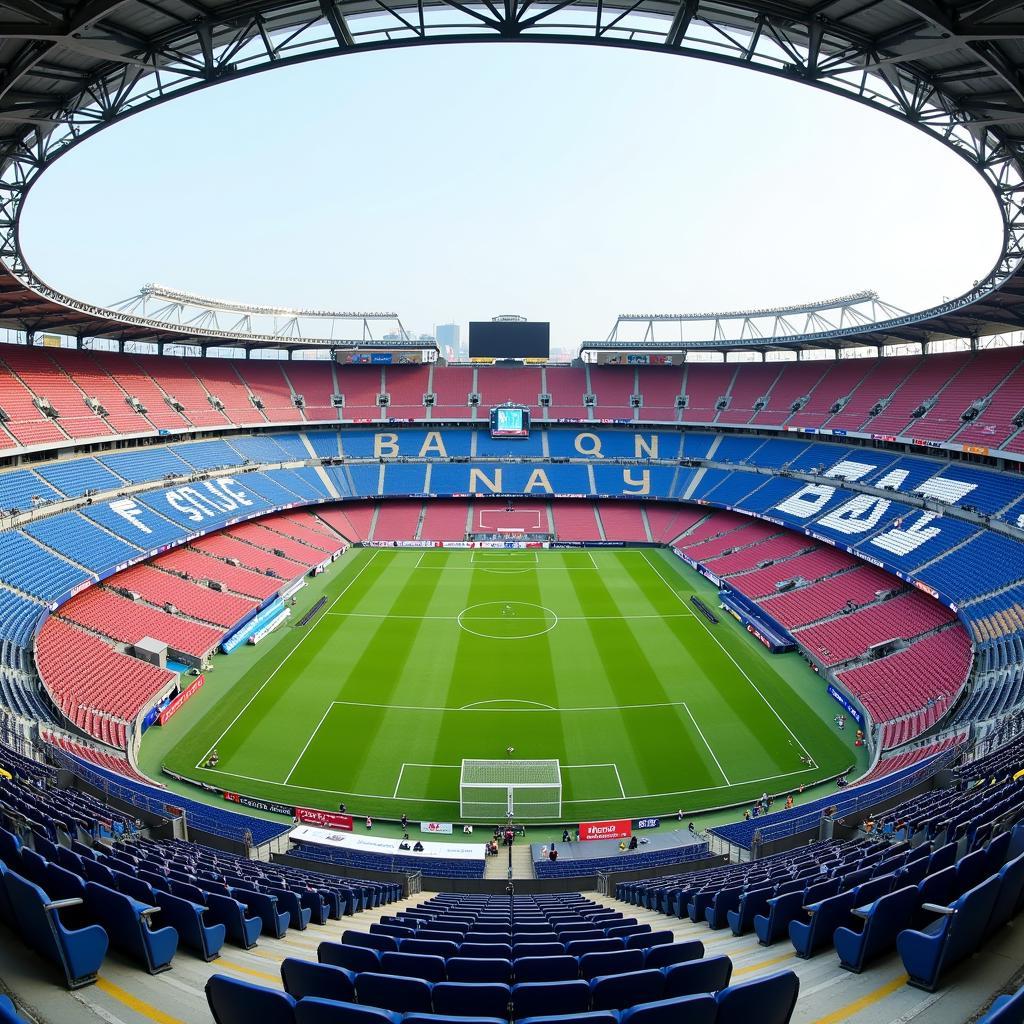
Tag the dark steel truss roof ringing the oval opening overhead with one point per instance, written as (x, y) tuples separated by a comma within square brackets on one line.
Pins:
[(955, 71)]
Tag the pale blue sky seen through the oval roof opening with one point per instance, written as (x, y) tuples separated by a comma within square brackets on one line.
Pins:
[(560, 183)]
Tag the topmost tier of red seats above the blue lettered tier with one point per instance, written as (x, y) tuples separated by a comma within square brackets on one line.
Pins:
[(842, 395)]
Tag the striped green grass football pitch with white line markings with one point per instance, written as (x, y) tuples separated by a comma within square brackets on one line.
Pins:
[(422, 658)]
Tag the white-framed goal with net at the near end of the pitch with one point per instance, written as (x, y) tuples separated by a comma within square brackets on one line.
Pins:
[(491, 791)]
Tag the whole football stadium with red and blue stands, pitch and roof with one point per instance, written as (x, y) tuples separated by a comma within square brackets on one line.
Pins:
[(346, 679)]
